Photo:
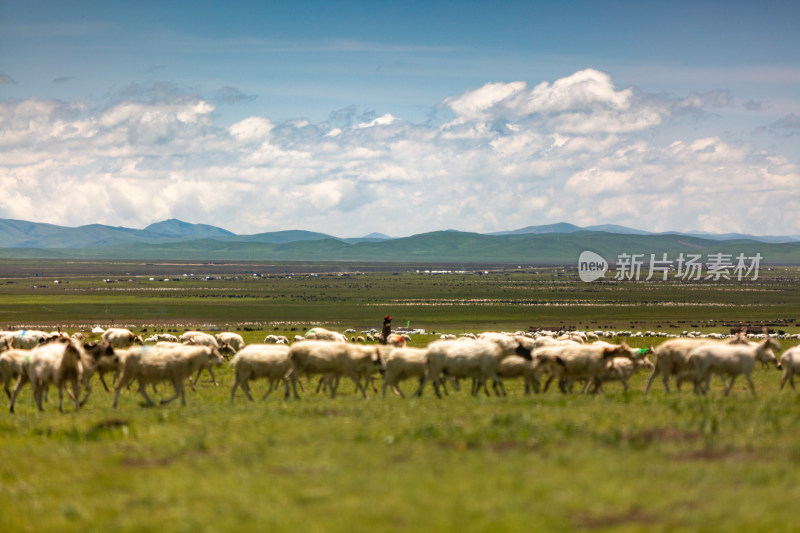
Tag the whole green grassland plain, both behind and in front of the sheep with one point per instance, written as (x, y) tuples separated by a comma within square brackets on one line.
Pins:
[(620, 461)]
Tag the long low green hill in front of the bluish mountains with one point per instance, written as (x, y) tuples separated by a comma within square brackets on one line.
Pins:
[(435, 247)]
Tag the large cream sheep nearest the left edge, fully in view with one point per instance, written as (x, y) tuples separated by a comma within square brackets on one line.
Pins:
[(56, 363)]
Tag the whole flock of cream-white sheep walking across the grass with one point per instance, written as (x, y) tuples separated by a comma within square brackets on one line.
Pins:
[(44, 359)]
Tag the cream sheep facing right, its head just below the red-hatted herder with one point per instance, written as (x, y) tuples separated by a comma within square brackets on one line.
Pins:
[(336, 359)]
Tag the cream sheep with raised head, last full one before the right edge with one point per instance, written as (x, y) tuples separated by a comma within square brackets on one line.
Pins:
[(730, 360)]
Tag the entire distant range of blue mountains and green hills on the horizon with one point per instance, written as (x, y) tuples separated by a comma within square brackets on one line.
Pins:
[(553, 243)]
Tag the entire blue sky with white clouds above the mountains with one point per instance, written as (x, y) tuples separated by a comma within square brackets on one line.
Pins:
[(353, 117)]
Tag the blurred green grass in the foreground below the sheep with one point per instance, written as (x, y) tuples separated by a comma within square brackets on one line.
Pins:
[(520, 463)]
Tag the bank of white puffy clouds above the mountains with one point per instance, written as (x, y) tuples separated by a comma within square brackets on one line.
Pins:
[(507, 156)]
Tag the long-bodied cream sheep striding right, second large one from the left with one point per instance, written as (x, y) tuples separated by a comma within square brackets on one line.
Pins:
[(151, 365)]
